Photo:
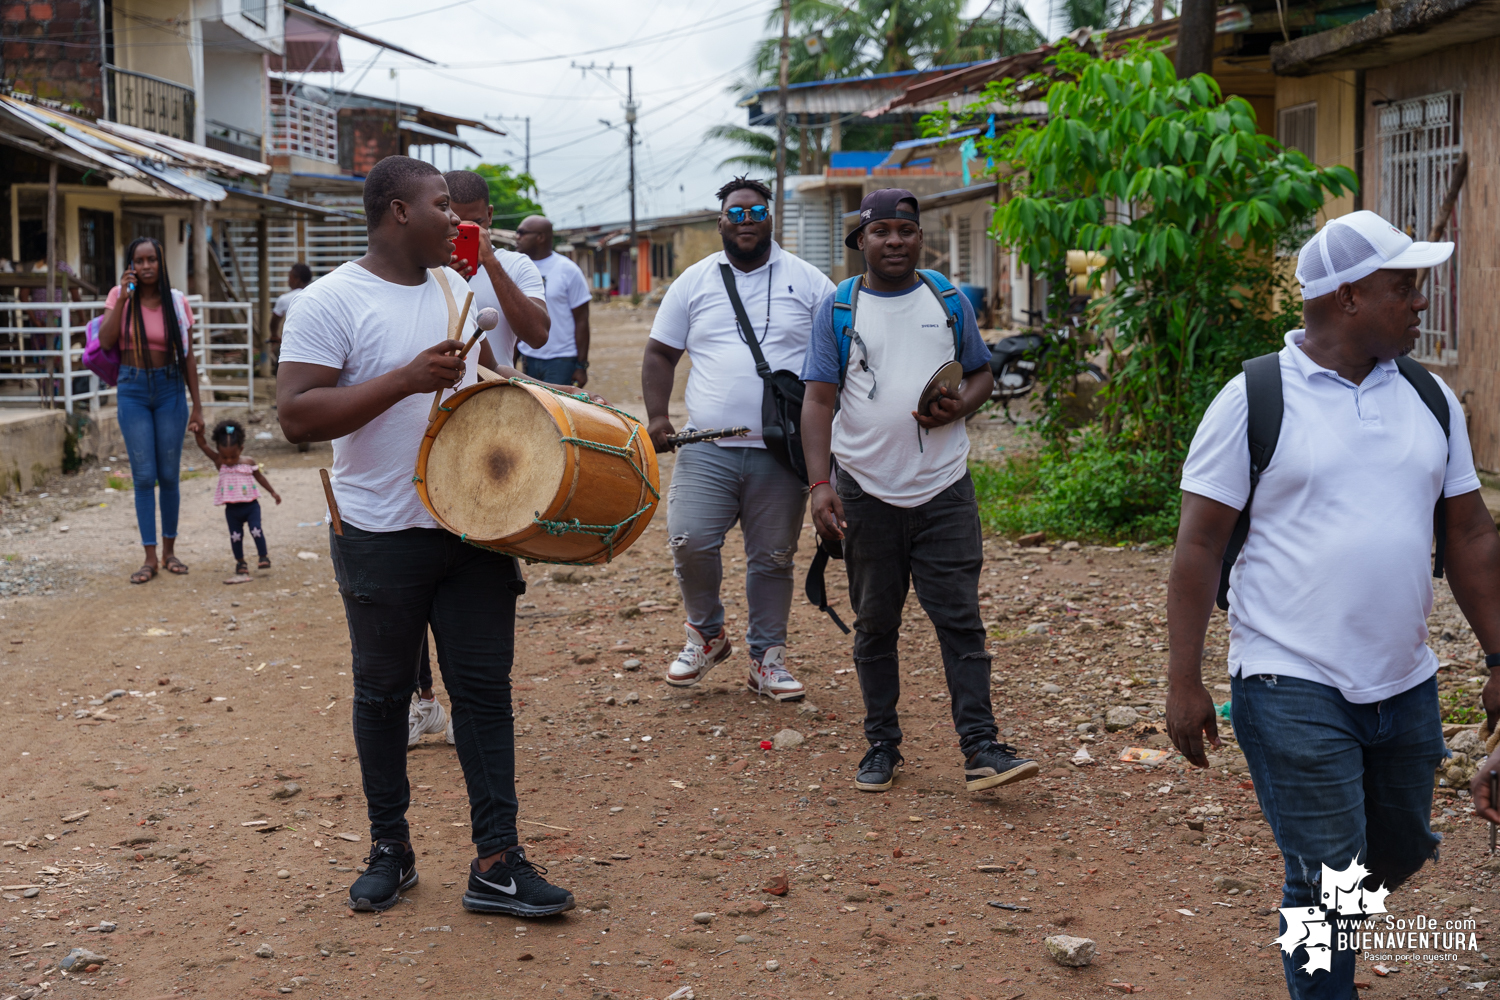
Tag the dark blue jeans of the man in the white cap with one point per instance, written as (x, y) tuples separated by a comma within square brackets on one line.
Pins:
[(1340, 782)]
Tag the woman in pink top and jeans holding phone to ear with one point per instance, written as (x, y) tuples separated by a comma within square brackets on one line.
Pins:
[(149, 322)]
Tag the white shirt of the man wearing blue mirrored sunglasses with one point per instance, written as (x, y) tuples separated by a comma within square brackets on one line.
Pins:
[(781, 299)]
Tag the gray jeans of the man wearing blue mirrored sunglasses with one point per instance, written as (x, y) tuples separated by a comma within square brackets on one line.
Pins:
[(712, 490)]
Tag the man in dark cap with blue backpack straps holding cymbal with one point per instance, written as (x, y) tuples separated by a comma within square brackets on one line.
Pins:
[(904, 503)]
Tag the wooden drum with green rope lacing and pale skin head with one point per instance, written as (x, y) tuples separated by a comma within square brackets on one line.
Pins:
[(514, 467)]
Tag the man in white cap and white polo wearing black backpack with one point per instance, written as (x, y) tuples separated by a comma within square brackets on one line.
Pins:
[(1318, 481)]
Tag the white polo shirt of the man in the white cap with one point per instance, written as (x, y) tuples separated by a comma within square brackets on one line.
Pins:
[(1336, 579)]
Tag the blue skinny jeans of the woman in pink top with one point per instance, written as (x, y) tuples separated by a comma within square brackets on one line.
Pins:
[(154, 418)]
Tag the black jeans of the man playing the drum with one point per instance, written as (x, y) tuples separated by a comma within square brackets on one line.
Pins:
[(395, 585)]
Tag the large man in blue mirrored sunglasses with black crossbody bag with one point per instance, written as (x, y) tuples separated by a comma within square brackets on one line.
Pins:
[(718, 484)]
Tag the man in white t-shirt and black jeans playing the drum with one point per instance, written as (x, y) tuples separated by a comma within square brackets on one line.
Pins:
[(364, 353)]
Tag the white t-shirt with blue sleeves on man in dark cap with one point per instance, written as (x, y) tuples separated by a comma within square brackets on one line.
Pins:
[(875, 437)]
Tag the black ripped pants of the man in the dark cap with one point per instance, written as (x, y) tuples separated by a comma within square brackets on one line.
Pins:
[(937, 548)]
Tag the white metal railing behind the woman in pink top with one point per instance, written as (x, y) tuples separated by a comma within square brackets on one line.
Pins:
[(41, 361)]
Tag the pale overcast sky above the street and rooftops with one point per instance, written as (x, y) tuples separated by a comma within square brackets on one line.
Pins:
[(518, 61)]
